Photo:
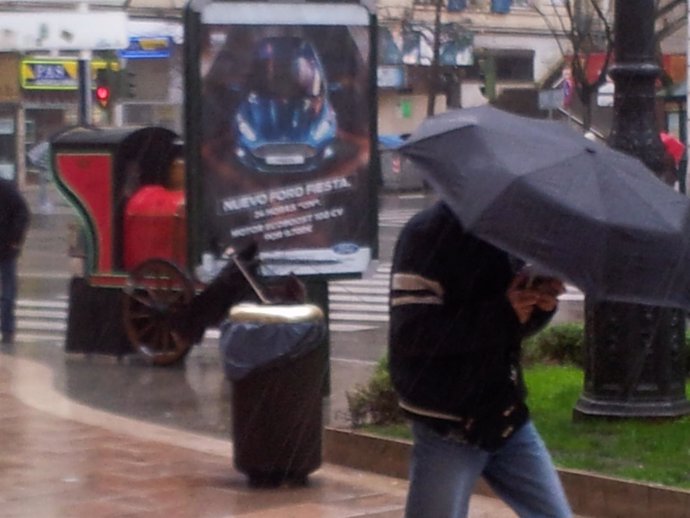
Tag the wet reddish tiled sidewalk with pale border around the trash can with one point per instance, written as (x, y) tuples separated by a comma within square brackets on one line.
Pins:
[(64, 459)]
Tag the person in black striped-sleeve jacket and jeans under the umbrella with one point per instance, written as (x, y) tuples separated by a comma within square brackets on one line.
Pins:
[(459, 308)]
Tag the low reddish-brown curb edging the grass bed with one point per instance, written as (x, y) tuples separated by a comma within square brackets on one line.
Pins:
[(589, 494)]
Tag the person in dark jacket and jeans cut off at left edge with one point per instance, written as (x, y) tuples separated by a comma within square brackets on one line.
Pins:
[(14, 220)]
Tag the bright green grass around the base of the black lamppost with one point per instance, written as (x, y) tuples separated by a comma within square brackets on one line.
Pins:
[(650, 451)]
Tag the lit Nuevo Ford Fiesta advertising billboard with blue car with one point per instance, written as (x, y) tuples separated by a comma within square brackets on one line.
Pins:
[(284, 130)]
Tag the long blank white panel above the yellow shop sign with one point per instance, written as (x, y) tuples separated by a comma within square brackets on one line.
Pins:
[(56, 31)]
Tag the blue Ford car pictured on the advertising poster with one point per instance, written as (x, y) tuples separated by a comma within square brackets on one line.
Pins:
[(285, 122)]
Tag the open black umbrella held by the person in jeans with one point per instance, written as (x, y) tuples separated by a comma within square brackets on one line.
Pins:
[(574, 208)]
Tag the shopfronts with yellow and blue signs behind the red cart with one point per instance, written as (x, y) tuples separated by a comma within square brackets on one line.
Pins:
[(39, 95)]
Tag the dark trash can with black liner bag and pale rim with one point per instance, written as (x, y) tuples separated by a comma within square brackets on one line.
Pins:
[(276, 360)]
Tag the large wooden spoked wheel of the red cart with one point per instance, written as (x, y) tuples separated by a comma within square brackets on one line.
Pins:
[(156, 291)]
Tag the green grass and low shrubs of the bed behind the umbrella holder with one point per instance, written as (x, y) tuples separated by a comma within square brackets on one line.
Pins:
[(647, 451)]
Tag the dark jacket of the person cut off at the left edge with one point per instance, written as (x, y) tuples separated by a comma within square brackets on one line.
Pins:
[(14, 220)]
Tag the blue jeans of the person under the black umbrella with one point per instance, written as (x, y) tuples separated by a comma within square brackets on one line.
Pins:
[(443, 474)]
